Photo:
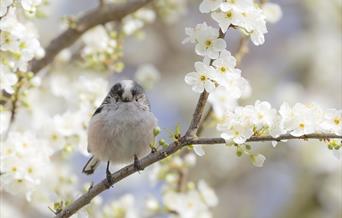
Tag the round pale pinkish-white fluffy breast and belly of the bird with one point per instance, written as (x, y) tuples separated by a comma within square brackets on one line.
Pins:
[(117, 134)]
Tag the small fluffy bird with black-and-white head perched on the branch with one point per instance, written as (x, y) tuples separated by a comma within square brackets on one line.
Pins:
[(121, 128)]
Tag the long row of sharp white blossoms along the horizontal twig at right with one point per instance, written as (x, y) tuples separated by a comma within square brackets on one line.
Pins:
[(261, 119)]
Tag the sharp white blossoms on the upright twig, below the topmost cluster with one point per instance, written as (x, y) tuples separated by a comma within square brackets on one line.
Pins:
[(221, 70)]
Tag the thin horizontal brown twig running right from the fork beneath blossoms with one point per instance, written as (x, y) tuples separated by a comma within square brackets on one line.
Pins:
[(266, 138)]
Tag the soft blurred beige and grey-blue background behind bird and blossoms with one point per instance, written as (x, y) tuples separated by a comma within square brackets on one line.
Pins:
[(301, 61)]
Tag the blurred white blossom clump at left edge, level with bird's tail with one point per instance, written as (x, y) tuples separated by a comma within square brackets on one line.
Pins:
[(24, 163)]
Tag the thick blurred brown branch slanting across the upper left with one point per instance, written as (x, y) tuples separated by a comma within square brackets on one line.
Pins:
[(92, 18)]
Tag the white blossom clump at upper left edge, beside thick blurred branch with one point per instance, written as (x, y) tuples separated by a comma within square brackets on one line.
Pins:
[(18, 45)]
